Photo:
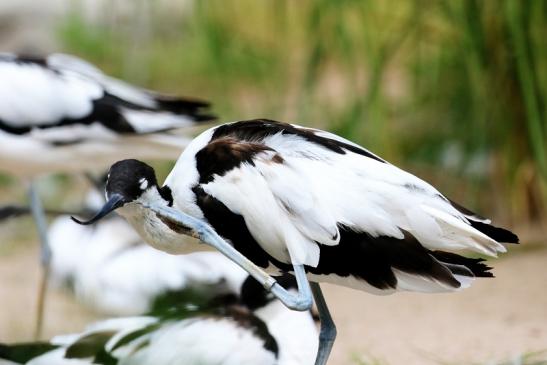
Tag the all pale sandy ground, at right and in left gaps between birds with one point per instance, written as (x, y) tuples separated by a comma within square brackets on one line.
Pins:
[(496, 319)]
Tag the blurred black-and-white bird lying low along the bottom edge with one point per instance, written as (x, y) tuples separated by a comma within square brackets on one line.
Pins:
[(256, 329)]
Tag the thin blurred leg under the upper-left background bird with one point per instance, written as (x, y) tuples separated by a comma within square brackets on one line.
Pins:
[(45, 255)]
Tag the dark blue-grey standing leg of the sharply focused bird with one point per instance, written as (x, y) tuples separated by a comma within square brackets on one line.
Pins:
[(327, 334)]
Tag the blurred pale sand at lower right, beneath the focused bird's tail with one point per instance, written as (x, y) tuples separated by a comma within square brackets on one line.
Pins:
[(495, 319)]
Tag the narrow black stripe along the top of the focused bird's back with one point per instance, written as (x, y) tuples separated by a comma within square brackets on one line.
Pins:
[(258, 129)]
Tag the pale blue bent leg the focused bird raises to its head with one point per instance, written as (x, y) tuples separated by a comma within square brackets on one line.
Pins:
[(189, 225)]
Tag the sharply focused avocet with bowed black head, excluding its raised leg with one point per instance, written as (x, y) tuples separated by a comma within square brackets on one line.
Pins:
[(286, 196)]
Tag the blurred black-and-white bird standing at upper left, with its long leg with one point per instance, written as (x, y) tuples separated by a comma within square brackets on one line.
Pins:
[(61, 114)]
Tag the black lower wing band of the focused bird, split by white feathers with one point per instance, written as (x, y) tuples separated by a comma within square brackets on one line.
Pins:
[(358, 254)]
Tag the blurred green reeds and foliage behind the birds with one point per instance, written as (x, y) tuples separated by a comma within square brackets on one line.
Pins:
[(451, 90)]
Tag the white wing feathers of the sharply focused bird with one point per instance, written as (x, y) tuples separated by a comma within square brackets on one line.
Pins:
[(304, 198)]
